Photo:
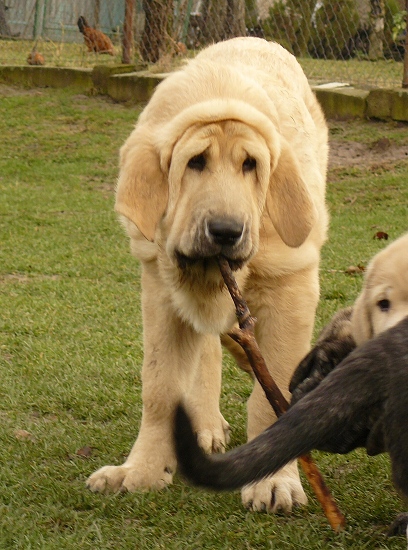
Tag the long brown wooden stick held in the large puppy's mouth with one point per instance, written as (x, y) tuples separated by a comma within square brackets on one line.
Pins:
[(245, 337)]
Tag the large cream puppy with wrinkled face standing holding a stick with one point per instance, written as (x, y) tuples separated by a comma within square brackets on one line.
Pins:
[(229, 157)]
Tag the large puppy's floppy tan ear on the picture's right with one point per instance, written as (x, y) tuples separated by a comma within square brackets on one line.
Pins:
[(289, 203)]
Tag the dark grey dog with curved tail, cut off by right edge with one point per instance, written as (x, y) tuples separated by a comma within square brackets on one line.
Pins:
[(363, 402)]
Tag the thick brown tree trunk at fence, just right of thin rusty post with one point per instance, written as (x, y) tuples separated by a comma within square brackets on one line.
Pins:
[(158, 18)]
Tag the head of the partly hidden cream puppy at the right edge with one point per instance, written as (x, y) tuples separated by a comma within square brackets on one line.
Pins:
[(383, 301)]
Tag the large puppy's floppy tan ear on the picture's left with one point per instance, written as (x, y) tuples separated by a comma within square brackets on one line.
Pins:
[(142, 191)]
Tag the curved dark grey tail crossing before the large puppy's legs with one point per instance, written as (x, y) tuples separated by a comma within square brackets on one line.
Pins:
[(251, 462)]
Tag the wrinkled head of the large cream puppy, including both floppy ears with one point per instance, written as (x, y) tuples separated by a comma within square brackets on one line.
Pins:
[(201, 183)]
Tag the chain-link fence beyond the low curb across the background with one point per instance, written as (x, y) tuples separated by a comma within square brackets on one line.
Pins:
[(360, 42)]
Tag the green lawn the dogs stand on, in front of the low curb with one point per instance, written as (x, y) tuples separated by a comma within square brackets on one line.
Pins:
[(70, 346)]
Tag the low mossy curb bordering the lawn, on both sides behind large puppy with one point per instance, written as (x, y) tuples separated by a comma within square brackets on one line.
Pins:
[(125, 84)]
